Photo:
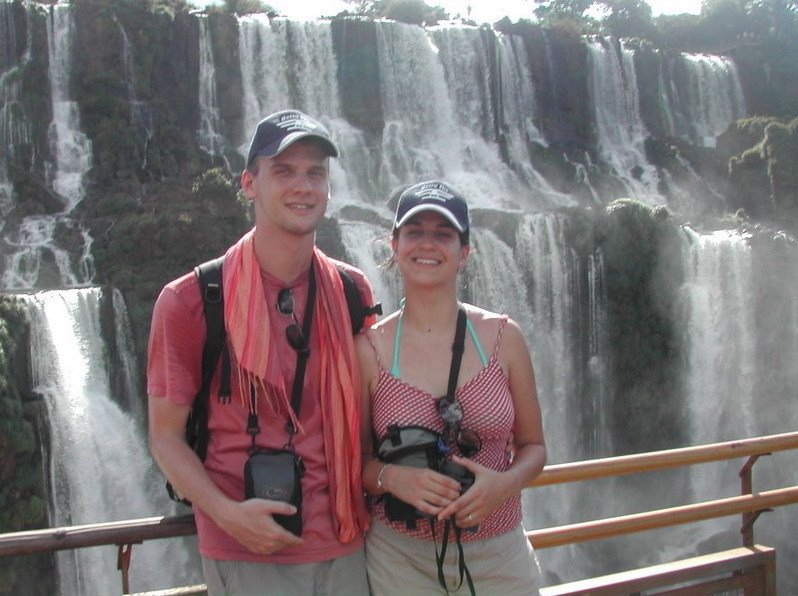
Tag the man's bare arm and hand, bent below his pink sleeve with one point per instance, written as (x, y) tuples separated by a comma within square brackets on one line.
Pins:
[(249, 522)]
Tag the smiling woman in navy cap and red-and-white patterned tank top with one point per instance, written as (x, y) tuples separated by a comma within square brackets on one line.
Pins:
[(406, 361)]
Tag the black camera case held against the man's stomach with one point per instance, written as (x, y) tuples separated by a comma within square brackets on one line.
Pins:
[(275, 474)]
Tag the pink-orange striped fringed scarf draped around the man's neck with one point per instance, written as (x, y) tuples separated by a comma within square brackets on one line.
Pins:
[(247, 319)]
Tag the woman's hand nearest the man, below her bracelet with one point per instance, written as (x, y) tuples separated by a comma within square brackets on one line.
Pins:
[(427, 490)]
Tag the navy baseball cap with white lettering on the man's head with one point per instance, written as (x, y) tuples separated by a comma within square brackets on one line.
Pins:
[(279, 131)]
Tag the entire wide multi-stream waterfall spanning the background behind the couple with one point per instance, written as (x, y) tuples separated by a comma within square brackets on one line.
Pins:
[(480, 109)]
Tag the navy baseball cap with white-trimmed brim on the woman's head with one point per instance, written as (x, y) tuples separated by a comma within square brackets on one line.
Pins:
[(438, 196)]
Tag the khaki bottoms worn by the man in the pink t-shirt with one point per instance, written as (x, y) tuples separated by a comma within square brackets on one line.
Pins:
[(345, 575)]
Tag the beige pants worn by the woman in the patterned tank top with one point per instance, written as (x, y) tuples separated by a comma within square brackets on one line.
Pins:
[(399, 565)]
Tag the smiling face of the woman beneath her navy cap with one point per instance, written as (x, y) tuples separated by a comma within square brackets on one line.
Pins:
[(427, 249)]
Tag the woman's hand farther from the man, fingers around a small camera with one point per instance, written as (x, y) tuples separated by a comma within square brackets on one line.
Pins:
[(489, 492)]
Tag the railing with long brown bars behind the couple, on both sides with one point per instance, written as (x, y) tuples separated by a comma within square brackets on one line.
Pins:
[(125, 534)]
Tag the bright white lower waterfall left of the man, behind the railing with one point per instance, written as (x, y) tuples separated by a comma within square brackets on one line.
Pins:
[(100, 469)]
